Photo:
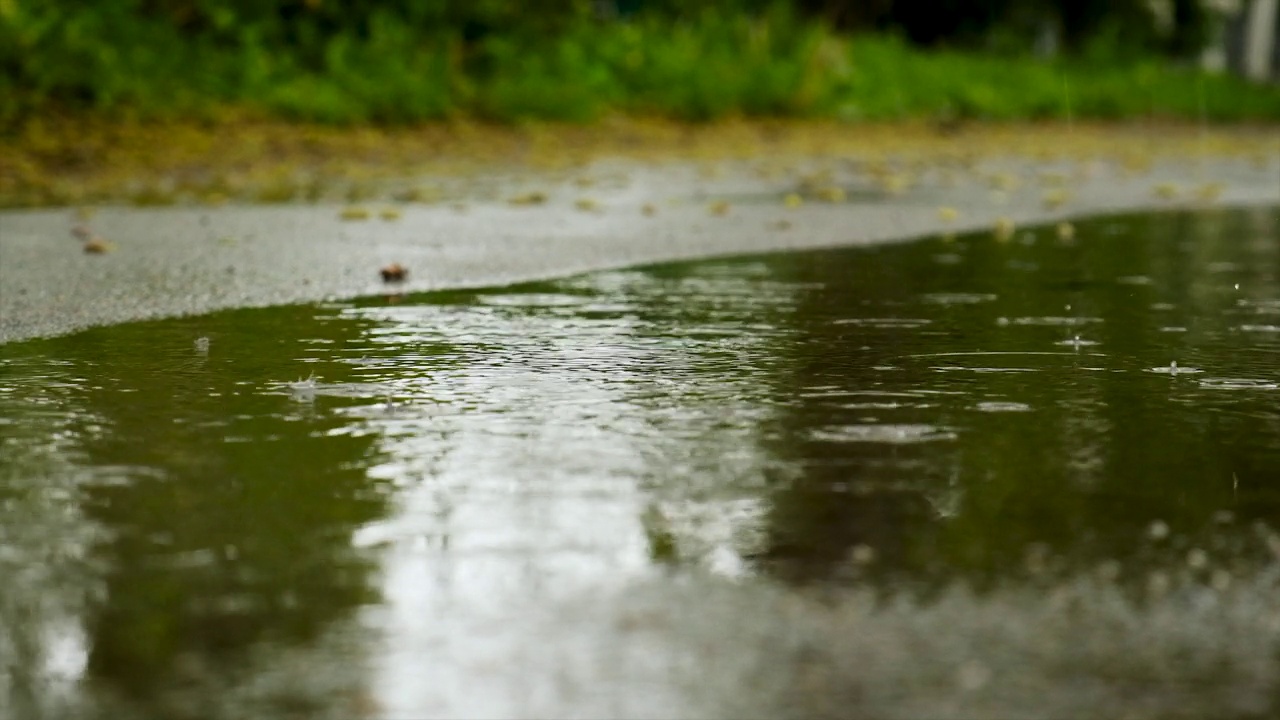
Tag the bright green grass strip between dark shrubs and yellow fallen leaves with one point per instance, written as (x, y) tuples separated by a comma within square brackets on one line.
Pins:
[(697, 69)]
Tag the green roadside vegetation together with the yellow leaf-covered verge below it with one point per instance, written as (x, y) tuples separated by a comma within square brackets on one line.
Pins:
[(161, 102)]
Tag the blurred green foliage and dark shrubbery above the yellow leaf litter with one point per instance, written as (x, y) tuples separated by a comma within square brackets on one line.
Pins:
[(401, 61)]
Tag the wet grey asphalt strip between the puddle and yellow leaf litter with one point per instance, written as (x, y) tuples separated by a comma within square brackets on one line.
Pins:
[(194, 259)]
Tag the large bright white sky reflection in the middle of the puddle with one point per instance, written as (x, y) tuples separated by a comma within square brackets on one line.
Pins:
[(523, 477)]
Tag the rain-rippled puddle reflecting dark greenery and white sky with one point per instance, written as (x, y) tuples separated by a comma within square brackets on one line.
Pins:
[(385, 508)]
